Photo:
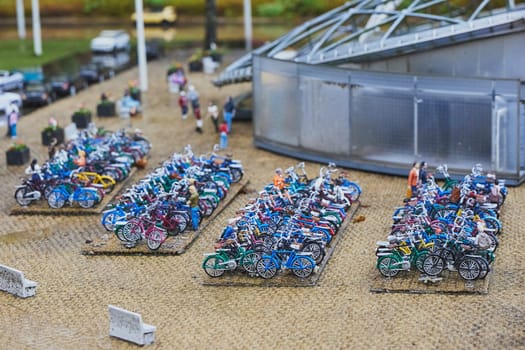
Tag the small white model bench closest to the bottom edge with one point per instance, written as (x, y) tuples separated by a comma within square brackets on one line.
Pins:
[(128, 326)]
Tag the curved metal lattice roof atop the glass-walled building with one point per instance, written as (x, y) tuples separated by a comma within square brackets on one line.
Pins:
[(364, 30)]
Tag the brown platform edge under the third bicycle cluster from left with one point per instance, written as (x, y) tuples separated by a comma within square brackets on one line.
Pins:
[(284, 278)]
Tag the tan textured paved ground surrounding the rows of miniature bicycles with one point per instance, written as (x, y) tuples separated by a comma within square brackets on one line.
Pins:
[(70, 308)]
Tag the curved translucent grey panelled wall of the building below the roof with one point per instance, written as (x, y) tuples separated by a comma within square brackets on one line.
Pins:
[(383, 121)]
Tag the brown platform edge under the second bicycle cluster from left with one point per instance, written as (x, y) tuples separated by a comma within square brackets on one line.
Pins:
[(109, 244)]
